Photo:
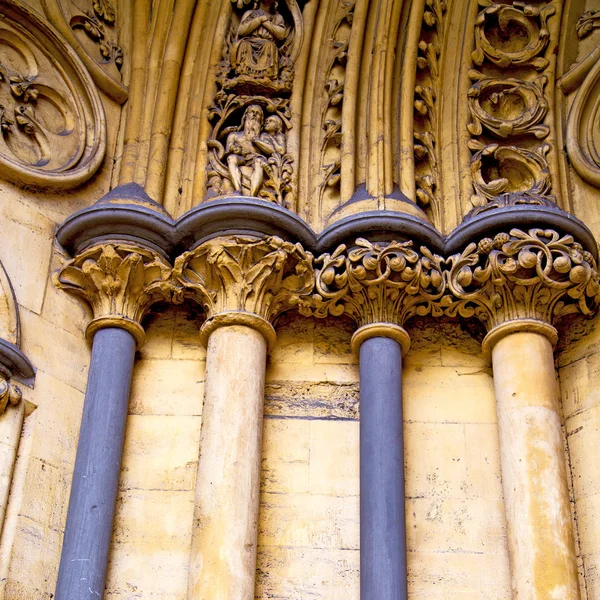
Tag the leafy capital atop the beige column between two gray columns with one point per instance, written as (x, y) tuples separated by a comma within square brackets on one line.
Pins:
[(245, 280)]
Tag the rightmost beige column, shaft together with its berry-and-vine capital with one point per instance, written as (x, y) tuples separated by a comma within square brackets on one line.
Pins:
[(518, 284)]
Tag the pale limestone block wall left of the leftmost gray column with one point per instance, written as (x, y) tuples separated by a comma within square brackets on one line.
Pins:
[(52, 326)]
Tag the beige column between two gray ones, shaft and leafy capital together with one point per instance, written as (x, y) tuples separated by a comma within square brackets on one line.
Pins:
[(243, 283)]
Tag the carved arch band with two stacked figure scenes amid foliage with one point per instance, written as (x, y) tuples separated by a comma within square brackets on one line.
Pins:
[(251, 114)]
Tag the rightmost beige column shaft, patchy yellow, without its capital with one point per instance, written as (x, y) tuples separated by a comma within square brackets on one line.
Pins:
[(534, 474)]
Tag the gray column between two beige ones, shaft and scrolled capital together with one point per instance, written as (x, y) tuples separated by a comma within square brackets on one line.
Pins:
[(380, 286)]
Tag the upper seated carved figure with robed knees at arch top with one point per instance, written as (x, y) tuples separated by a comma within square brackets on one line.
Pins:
[(256, 53)]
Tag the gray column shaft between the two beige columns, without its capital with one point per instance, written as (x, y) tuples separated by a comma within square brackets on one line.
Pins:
[(382, 519)]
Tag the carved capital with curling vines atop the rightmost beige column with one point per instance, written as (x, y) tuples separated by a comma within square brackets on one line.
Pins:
[(522, 280)]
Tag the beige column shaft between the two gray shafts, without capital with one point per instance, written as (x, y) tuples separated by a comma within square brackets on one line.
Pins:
[(227, 488)]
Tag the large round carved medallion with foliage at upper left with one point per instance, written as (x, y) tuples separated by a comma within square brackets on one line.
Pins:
[(52, 125)]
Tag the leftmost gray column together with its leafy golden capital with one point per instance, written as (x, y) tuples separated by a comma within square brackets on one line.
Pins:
[(119, 281)]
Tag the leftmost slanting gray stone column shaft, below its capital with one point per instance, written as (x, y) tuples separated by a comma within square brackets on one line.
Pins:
[(88, 532)]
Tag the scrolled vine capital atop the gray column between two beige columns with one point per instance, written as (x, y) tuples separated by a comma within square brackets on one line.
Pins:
[(379, 284)]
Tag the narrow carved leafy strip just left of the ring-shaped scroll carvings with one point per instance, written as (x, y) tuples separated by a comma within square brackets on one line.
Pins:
[(428, 85)]
